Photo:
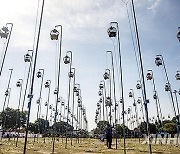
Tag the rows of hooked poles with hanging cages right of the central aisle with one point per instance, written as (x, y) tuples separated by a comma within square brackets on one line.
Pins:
[(107, 98)]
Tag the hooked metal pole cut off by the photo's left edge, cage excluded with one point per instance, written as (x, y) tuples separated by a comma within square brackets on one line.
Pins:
[(5, 52)]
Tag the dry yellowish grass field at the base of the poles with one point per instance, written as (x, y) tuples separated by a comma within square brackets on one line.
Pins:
[(85, 146)]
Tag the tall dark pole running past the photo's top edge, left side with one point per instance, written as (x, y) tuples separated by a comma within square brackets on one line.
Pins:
[(30, 96)]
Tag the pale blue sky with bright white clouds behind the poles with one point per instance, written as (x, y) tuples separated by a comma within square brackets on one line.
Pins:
[(85, 25)]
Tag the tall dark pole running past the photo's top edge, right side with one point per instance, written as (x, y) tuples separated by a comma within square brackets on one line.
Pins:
[(142, 75)]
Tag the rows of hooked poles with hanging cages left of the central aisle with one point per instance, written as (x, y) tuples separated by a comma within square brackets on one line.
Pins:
[(80, 117)]
